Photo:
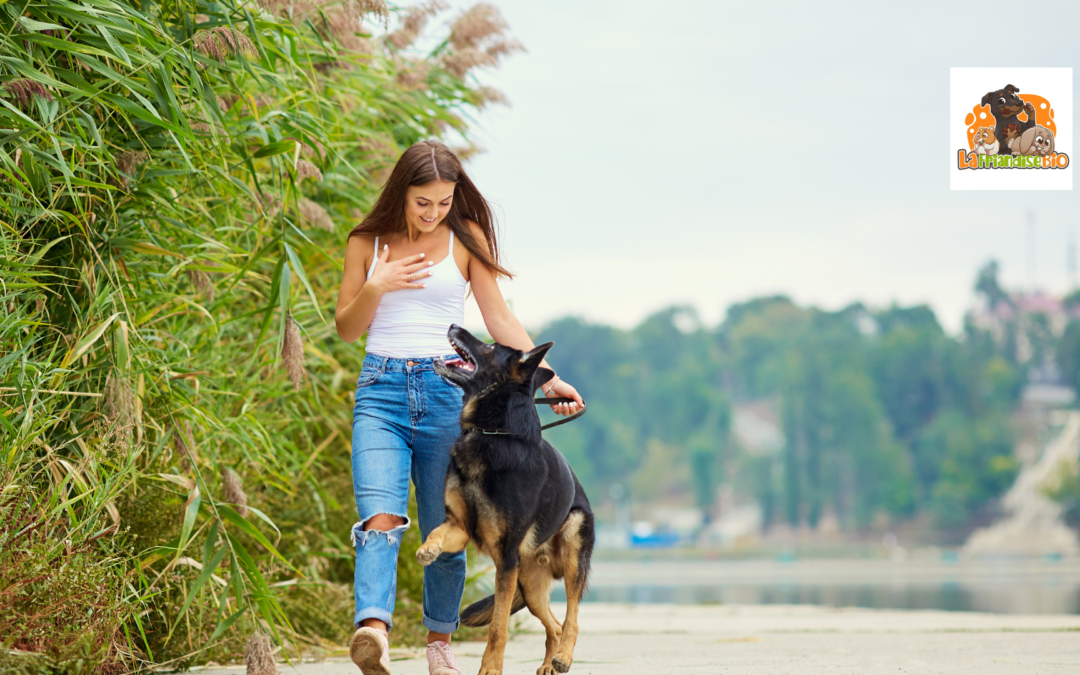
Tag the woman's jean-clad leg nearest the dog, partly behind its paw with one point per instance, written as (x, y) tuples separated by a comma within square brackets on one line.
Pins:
[(444, 580)]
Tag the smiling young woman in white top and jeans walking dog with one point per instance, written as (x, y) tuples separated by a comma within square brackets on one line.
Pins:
[(407, 267)]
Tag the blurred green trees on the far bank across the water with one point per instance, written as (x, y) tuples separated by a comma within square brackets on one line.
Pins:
[(883, 414)]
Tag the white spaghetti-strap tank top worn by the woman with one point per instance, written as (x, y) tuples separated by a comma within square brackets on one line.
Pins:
[(413, 323)]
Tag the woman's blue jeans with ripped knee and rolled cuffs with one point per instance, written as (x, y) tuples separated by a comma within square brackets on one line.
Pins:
[(404, 423)]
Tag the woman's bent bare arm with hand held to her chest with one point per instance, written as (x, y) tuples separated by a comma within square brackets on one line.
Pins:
[(359, 298)]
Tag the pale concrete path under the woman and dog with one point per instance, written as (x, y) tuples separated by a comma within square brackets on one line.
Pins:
[(693, 640)]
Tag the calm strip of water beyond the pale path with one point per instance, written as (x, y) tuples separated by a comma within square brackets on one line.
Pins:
[(1002, 587)]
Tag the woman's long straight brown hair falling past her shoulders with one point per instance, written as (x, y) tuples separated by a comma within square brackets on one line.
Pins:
[(426, 163)]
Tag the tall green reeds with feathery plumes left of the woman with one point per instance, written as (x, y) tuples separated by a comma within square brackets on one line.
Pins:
[(177, 183)]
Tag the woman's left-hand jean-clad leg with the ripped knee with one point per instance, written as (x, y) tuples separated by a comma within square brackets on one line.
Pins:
[(381, 472)]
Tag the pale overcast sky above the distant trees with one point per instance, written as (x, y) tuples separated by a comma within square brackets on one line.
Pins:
[(707, 154)]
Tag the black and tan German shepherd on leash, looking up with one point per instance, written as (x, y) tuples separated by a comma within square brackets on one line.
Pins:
[(516, 497)]
